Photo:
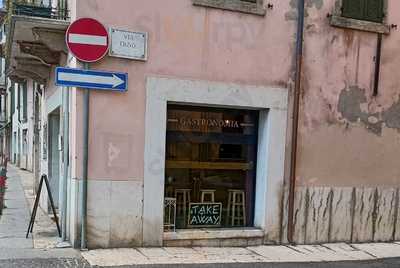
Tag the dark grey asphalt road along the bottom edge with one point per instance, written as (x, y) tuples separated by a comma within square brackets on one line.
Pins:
[(77, 262)]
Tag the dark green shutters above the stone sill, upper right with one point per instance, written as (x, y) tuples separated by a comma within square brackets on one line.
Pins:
[(368, 10)]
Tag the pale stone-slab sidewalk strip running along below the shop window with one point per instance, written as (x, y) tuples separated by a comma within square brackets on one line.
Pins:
[(261, 254)]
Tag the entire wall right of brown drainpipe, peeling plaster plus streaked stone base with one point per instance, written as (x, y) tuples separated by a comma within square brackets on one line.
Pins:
[(348, 173)]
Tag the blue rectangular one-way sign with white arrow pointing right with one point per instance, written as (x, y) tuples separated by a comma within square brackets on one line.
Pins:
[(69, 77)]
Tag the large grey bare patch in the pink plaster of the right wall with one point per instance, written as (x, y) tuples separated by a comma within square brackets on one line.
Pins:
[(350, 102)]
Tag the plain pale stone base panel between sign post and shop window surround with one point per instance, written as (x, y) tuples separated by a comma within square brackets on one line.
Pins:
[(114, 216)]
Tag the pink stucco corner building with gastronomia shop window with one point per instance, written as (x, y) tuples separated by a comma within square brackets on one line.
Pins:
[(202, 149)]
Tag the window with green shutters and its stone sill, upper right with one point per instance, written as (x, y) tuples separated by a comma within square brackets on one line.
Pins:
[(363, 15)]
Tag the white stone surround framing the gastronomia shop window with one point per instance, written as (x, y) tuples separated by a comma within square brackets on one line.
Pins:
[(272, 104)]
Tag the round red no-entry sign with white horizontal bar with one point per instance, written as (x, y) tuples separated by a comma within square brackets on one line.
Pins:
[(87, 39)]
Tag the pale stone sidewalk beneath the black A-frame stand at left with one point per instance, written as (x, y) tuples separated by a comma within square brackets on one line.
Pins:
[(19, 199)]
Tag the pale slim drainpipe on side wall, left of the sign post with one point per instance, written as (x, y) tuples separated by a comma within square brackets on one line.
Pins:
[(66, 164)]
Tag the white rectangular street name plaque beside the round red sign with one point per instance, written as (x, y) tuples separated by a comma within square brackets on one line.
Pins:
[(129, 45)]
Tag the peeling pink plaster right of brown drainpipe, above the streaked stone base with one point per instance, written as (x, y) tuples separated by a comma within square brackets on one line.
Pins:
[(347, 137)]
